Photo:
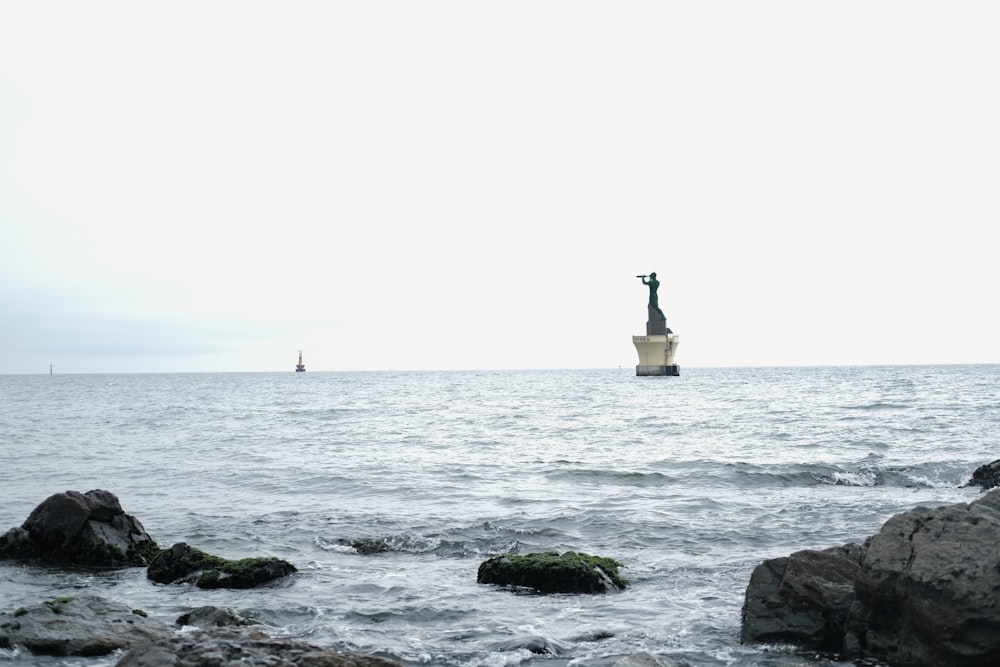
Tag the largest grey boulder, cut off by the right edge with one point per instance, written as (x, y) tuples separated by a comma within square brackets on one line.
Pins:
[(928, 587)]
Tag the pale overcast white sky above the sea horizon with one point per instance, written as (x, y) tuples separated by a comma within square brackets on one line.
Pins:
[(212, 186)]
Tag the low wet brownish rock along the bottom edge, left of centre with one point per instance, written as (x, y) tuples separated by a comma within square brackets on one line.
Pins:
[(251, 649)]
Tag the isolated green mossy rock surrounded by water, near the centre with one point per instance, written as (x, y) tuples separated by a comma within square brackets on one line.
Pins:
[(550, 572)]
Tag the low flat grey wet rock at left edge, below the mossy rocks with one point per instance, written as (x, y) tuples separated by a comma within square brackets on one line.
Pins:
[(81, 626)]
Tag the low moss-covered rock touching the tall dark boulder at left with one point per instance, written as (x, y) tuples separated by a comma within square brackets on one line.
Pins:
[(185, 564)]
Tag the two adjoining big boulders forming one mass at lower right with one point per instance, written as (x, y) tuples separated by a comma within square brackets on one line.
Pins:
[(925, 592)]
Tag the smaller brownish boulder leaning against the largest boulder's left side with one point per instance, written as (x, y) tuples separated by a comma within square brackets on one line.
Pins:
[(802, 599)]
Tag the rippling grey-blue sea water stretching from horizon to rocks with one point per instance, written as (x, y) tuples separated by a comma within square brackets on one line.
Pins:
[(689, 482)]
